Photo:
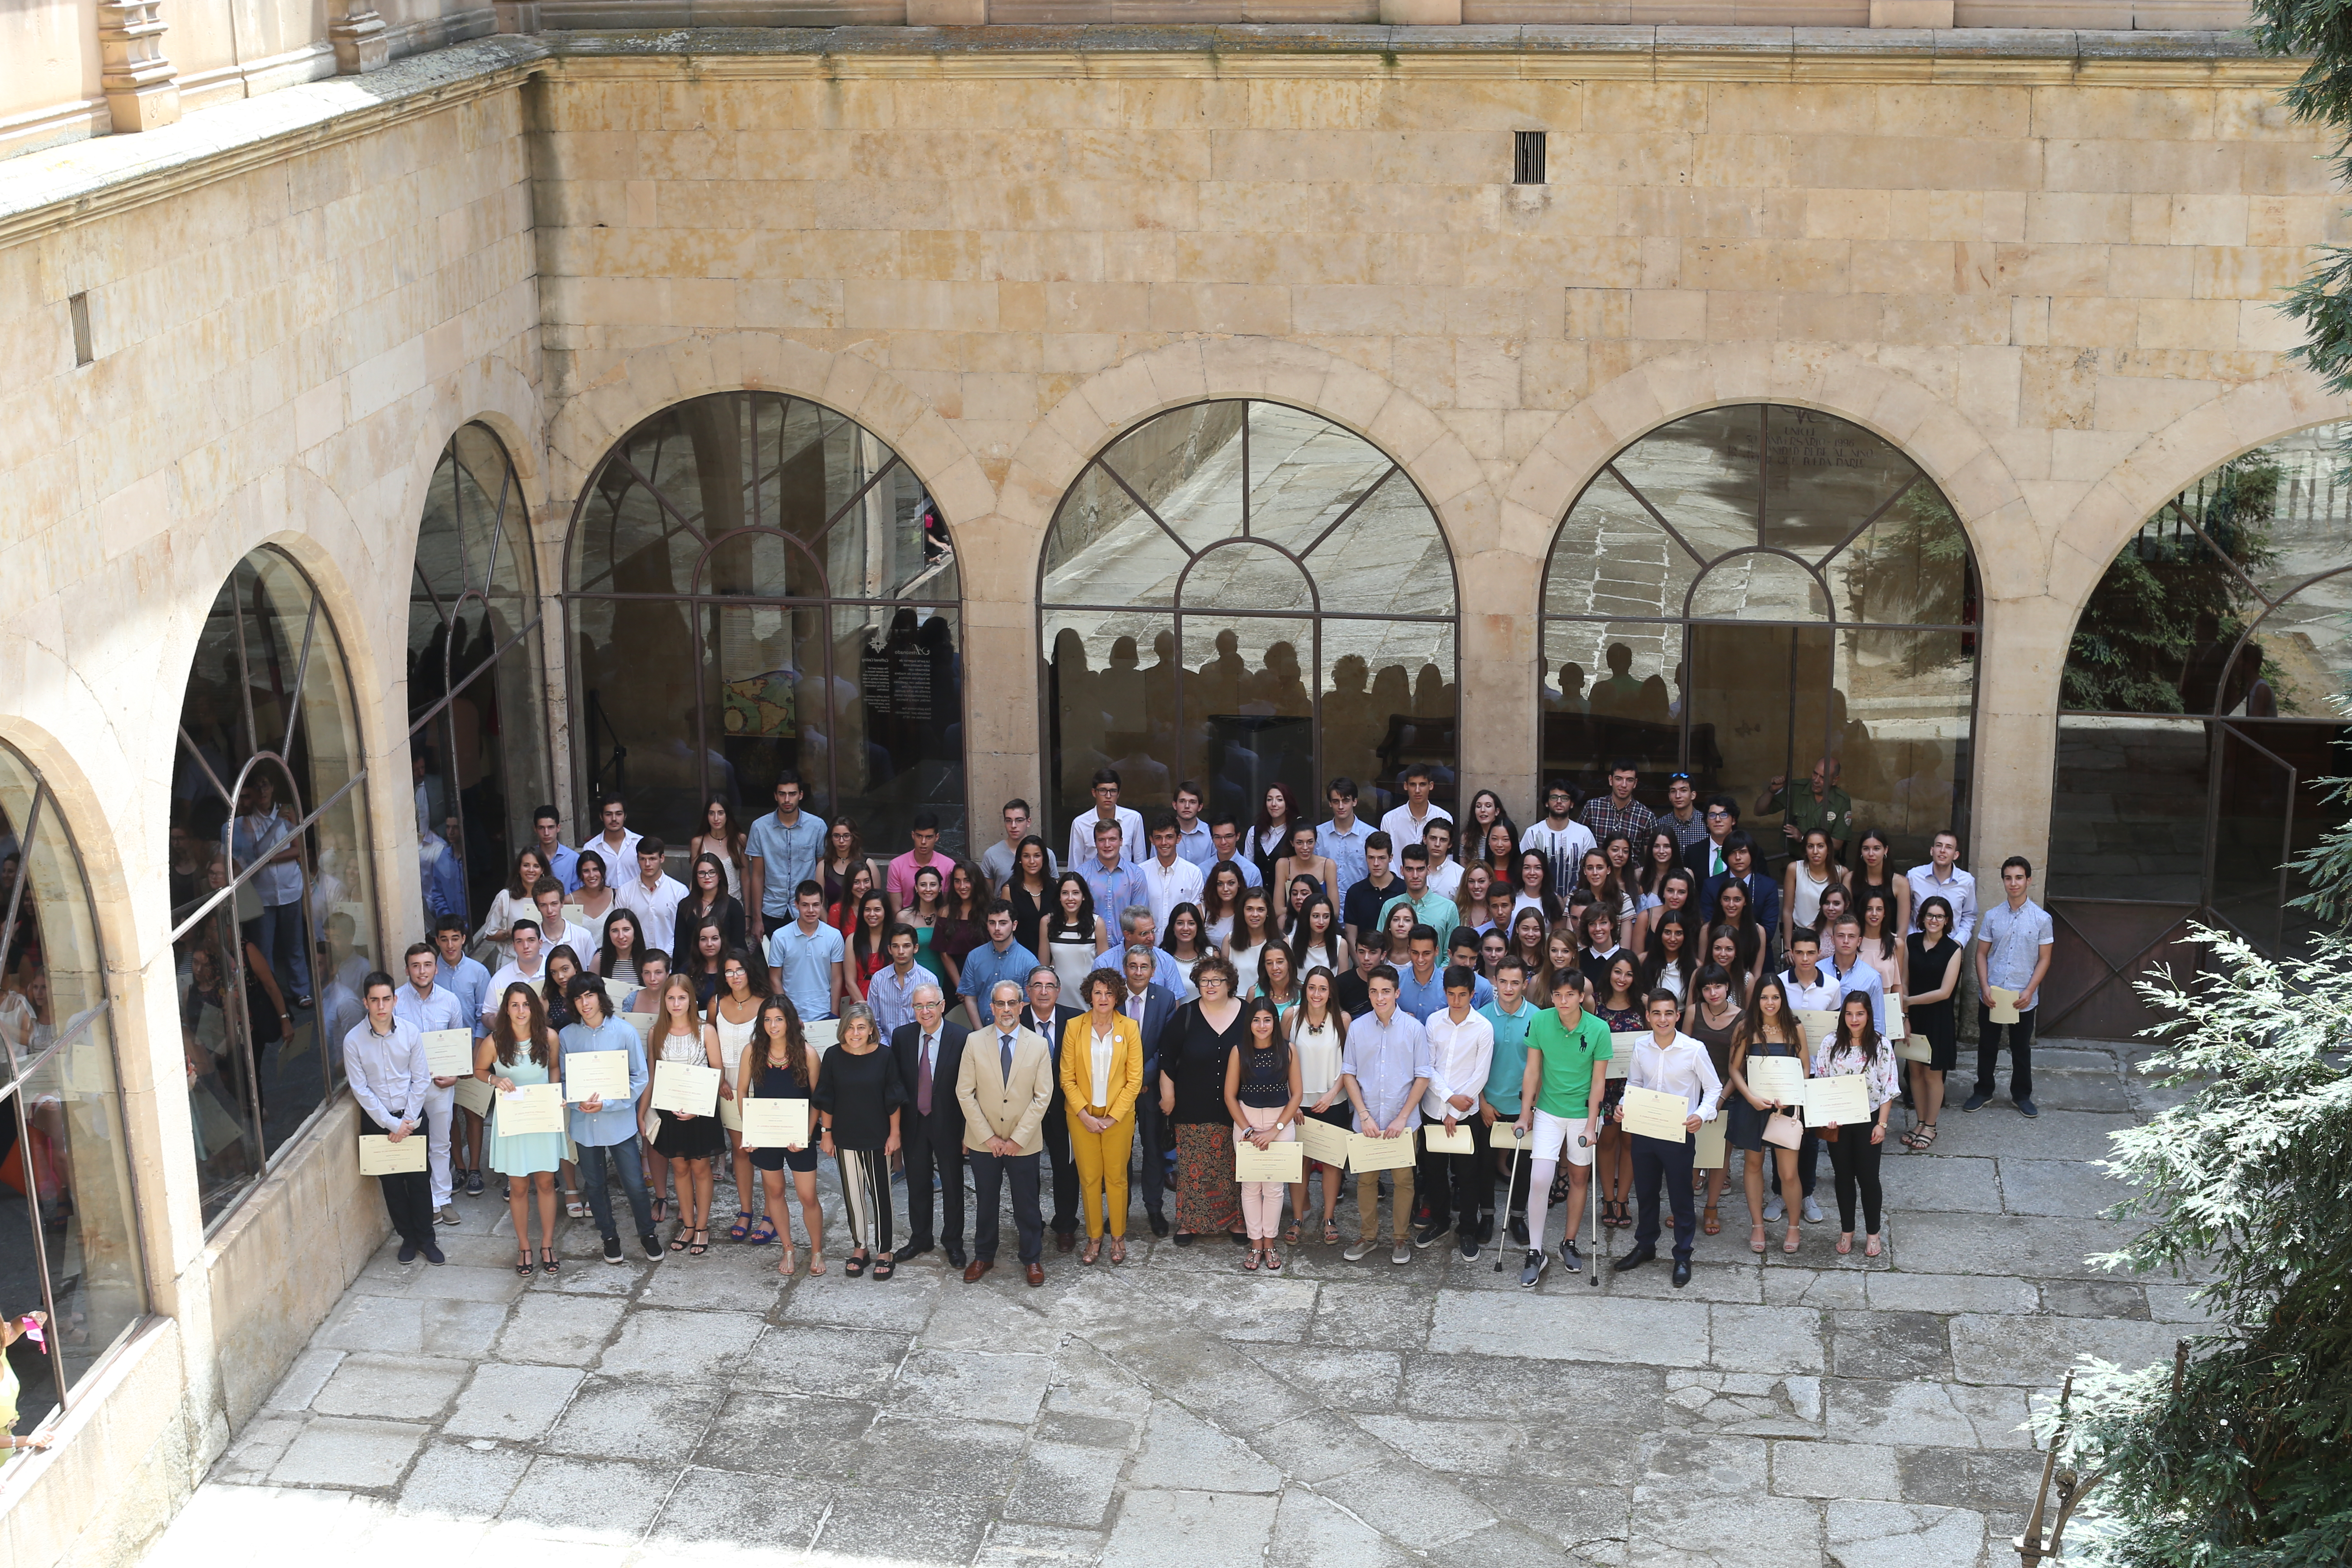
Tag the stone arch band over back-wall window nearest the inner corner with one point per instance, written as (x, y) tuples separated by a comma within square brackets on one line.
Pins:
[(657, 377)]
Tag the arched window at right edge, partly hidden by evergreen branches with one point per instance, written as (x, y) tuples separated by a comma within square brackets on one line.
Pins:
[(2196, 721)]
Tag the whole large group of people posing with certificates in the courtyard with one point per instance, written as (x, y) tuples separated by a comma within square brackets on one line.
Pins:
[(1177, 989)]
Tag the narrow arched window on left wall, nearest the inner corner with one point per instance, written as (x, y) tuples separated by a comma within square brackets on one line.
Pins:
[(476, 690)]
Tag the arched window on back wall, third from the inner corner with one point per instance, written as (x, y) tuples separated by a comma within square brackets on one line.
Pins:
[(1751, 591)]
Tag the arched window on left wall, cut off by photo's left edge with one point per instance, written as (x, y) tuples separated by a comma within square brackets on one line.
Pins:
[(67, 1224)]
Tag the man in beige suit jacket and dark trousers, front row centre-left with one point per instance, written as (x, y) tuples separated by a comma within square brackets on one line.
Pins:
[(1005, 1087)]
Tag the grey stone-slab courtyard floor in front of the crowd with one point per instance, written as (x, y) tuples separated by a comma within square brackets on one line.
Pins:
[(1808, 1409)]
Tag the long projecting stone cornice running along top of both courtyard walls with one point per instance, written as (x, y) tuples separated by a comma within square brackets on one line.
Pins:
[(74, 185)]
